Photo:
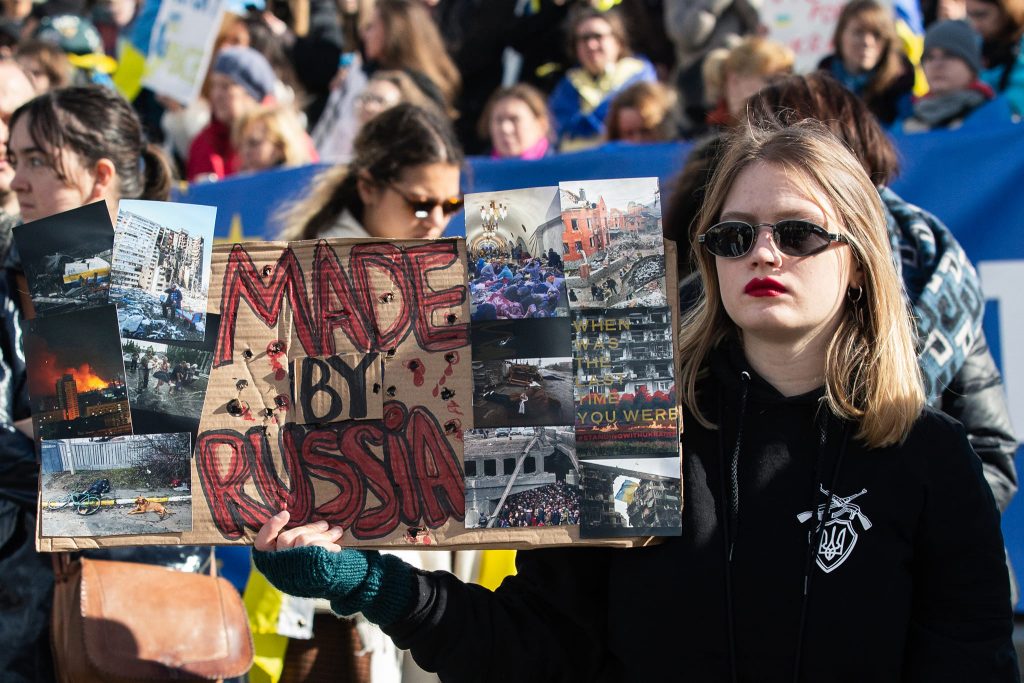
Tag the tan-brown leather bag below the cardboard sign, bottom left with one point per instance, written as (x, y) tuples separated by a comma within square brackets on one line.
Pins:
[(123, 622)]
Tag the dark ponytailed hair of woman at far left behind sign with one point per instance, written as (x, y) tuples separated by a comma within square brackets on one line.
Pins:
[(96, 123)]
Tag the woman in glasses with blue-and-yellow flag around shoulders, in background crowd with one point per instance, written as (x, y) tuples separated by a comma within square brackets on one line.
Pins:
[(581, 101)]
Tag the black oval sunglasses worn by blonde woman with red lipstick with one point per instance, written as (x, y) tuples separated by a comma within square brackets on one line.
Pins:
[(734, 239)]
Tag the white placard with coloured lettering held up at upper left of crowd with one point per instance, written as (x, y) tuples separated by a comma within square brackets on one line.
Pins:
[(181, 48)]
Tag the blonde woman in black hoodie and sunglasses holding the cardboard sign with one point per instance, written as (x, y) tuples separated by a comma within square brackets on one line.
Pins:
[(836, 529)]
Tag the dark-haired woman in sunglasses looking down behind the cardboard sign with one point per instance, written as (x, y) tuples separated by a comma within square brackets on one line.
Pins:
[(403, 183)]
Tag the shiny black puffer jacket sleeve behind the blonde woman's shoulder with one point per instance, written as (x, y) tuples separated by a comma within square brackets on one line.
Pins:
[(976, 399)]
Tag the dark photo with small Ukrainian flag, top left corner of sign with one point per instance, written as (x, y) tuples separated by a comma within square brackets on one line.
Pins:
[(67, 259)]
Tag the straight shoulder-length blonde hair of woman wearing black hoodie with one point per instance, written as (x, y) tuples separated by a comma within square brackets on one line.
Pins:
[(872, 373)]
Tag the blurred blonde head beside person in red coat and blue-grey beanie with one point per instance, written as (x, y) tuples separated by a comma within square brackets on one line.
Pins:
[(272, 137)]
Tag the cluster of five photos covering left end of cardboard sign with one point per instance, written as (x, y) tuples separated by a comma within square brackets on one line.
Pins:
[(107, 370)]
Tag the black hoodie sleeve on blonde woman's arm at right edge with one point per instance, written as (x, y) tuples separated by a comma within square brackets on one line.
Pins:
[(962, 626)]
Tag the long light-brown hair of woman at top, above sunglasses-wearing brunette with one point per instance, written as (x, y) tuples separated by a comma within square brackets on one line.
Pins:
[(413, 41)]
